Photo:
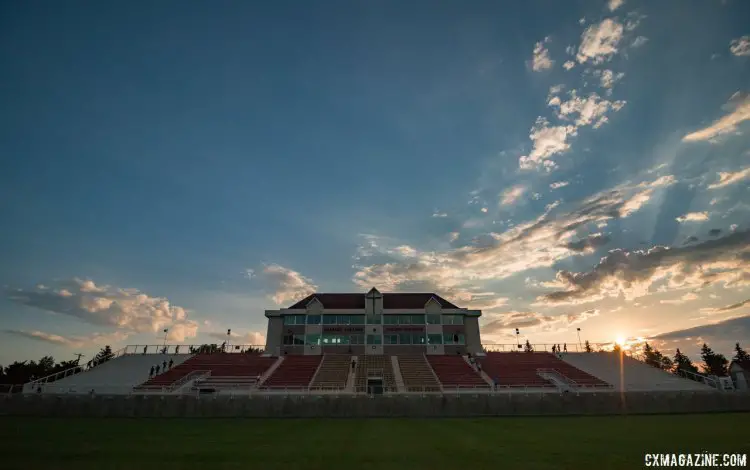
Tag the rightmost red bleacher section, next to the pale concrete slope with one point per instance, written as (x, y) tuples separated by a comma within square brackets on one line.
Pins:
[(519, 369)]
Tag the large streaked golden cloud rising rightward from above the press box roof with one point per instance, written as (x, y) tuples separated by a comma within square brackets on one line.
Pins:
[(536, 243)]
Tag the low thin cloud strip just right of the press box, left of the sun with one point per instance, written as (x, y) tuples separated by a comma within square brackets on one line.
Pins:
[(501, 322)]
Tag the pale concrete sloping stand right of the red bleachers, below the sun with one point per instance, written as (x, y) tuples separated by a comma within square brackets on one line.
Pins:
[(630, 375)]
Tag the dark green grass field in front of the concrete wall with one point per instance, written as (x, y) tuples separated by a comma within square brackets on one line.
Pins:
[(459, 444)]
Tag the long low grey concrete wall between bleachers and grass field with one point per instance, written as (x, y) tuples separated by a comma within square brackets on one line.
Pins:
[(365, 407)]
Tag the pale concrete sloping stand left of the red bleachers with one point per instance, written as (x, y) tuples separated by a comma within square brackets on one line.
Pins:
[(116, 376)]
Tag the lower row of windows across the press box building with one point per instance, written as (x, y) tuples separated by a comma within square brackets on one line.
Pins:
[(401, 338)]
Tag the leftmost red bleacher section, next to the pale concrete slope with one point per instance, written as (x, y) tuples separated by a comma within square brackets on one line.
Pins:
[(235, 367)]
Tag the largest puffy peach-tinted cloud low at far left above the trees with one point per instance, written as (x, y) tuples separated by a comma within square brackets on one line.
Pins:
[(127, 309)]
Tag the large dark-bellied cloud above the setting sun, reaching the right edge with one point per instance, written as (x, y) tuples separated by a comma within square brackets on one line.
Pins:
[(633, 274)]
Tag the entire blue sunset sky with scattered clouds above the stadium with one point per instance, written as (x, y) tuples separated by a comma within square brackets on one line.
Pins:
[(559, 165)]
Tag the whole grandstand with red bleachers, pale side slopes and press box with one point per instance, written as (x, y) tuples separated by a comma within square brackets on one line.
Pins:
[(373, 343)]
